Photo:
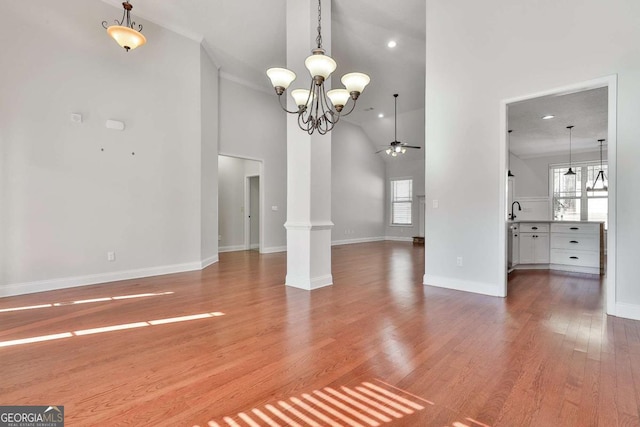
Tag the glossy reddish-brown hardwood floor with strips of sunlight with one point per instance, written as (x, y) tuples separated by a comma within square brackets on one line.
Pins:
[(376, 348)]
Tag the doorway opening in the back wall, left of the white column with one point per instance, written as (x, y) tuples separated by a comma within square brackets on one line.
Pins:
[(240, 204)]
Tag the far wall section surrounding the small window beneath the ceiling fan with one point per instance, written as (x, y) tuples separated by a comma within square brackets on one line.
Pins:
[(408, 165)]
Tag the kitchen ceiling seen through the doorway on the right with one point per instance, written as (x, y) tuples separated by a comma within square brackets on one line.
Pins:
[(534, 137)]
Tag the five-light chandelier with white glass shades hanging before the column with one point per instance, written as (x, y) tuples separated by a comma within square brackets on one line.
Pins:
[(319, 109)]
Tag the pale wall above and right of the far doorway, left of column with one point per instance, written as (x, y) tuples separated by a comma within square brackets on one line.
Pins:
[(252, 126)]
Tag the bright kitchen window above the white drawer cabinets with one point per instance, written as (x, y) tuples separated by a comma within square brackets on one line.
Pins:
[(571, 200)]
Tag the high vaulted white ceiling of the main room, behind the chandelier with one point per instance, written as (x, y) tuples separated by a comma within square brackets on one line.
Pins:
[(245, 37)]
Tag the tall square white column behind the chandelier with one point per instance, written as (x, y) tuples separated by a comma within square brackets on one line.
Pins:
[(308, 160)]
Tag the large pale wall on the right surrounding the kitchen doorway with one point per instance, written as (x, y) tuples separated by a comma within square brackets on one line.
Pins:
[(479, 55)]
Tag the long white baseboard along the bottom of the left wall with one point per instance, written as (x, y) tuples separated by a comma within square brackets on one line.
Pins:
[(94, 279)]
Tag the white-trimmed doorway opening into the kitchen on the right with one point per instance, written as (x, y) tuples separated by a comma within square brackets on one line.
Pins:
[(535, 156)]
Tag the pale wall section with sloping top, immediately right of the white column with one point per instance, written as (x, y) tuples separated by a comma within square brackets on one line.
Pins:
[(357, 187)]
